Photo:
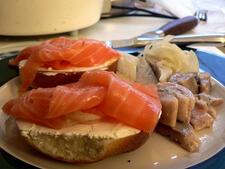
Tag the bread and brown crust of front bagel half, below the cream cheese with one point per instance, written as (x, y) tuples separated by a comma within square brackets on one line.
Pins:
[(82, 148)]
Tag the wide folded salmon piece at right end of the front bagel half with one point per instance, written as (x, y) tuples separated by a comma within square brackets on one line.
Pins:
[(131, 103)]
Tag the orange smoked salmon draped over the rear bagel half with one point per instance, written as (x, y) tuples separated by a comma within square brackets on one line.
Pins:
[(61, 54)]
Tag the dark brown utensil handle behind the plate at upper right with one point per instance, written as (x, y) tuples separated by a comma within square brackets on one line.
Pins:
[(178, 26)]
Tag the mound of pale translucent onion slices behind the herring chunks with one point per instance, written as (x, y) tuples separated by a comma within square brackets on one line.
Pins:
[(167, 59)]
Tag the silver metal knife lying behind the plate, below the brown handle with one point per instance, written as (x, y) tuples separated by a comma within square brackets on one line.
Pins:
[(217, 39)]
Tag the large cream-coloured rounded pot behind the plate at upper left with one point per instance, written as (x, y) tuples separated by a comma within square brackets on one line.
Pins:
[(38, 17)]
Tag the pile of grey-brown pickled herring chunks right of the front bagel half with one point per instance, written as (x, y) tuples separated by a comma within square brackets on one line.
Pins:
[(195, 110)]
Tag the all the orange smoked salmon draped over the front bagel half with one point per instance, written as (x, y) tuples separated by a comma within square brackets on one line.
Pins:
[(97, 91)]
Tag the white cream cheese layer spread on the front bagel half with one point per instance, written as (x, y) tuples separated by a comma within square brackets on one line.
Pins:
[(90, 124)]
